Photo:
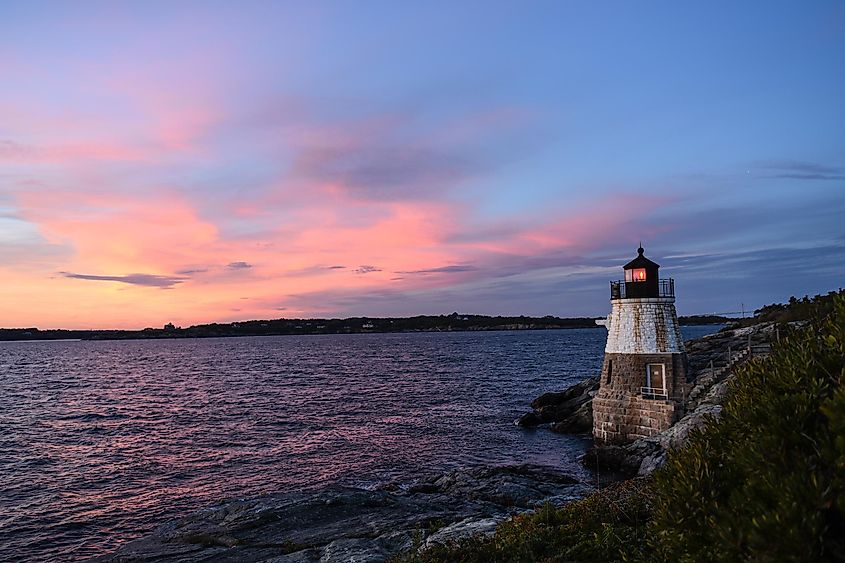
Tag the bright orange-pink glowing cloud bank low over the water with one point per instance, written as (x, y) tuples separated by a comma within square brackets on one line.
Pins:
[(125, 249)]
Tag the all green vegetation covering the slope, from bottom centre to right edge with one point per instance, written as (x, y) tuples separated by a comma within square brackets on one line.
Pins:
[(766, 482)]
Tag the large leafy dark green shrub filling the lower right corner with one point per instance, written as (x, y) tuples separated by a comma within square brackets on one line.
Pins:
[(765, 482)]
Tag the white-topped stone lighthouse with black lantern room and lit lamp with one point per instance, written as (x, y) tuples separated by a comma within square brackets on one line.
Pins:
[(643, 380)]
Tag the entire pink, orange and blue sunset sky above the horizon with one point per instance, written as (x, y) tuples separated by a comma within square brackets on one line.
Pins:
[(194, 162)]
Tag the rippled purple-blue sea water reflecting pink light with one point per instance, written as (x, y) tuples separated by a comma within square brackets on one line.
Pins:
[(102, 441)]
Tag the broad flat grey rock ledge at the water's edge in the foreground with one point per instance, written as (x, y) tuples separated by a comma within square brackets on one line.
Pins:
[(348, 524)]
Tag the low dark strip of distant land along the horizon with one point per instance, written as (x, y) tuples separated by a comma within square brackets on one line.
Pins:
[(355, 325)]
